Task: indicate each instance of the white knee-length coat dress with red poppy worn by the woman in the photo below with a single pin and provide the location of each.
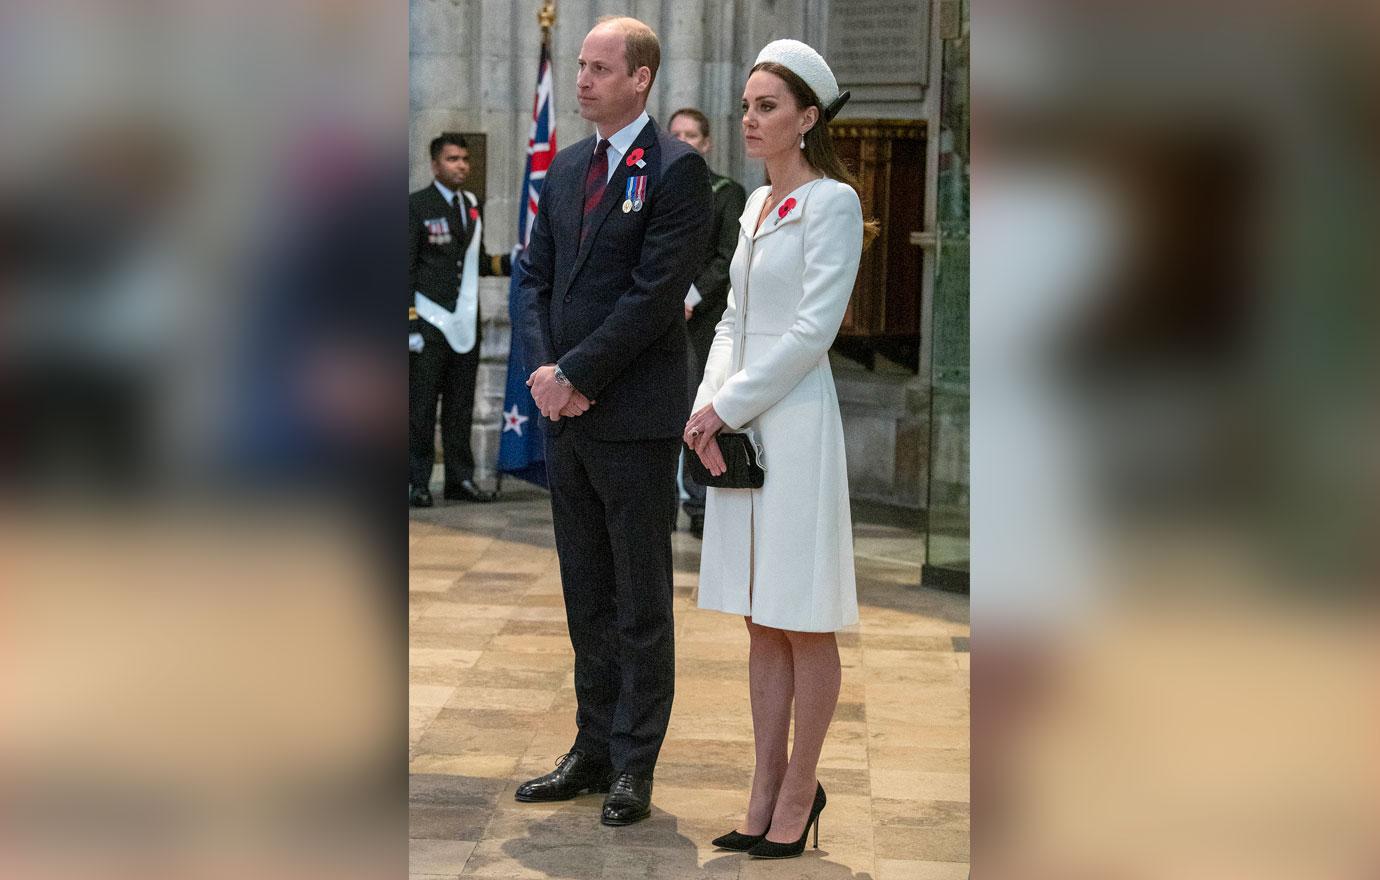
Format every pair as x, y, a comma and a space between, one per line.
785, 554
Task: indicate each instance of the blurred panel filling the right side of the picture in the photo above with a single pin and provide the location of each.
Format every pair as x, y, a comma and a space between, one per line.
1175, 449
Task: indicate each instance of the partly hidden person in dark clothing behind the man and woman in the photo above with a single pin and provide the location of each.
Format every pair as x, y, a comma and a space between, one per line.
709, 296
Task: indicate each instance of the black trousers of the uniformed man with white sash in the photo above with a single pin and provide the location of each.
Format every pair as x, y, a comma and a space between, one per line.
440, 373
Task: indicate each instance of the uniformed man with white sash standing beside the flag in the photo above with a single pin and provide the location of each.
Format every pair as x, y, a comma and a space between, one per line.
445, 260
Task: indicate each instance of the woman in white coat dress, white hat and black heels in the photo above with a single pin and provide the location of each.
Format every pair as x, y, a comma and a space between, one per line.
783, 555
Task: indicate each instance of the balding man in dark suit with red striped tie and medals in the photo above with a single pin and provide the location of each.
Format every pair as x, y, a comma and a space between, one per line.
616, 243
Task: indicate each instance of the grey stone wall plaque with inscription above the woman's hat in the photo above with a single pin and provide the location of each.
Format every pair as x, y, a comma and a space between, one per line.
880, 42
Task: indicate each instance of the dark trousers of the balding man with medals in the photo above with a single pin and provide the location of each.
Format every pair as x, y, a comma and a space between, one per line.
611, 504
